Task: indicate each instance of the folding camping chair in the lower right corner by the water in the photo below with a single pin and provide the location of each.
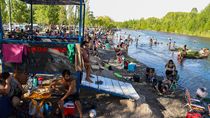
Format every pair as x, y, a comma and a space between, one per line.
193, 104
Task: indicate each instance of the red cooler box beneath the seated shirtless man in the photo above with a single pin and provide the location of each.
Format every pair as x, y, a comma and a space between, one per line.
69, 109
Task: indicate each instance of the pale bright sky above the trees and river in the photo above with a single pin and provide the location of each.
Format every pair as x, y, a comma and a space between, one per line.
121, 10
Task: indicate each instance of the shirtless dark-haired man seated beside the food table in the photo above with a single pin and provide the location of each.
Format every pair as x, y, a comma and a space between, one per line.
67, 84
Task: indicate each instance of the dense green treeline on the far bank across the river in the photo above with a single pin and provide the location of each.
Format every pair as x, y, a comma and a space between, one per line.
192, 23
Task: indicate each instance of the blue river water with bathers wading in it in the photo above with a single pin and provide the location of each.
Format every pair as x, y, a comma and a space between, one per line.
193, 73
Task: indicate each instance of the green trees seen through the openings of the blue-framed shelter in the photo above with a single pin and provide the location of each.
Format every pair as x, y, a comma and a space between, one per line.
42, 14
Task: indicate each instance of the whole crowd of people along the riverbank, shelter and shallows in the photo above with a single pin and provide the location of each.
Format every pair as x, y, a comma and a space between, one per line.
11, 90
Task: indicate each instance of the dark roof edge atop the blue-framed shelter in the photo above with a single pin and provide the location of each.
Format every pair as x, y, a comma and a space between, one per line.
54, 2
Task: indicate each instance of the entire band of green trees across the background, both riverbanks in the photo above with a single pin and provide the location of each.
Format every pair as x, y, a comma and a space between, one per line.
193, 23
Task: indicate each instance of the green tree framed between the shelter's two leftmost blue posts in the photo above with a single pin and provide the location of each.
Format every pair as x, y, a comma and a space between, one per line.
20, 12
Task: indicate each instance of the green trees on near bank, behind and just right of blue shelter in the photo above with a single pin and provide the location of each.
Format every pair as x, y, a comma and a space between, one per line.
50, 15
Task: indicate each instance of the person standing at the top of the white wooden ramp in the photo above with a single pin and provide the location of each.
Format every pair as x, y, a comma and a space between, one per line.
86, 58
